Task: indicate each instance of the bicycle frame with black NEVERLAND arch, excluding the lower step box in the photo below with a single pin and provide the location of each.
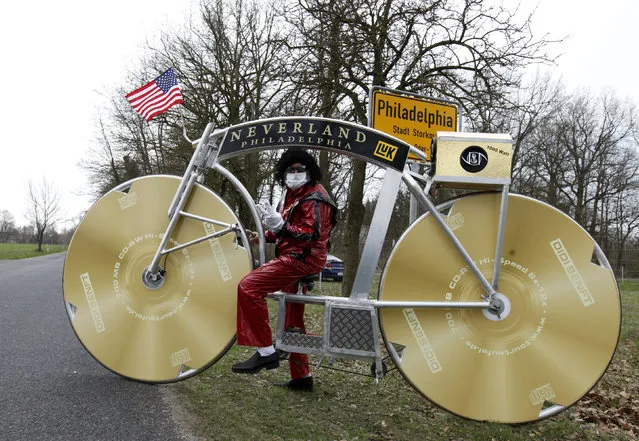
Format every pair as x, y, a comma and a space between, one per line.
340, 137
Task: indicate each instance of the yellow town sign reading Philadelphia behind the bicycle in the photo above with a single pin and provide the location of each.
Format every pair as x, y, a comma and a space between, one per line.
413, 119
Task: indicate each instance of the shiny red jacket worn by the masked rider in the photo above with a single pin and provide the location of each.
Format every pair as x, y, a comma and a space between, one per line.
309, 216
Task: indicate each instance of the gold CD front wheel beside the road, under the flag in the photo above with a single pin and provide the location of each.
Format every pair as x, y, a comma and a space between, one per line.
179, 327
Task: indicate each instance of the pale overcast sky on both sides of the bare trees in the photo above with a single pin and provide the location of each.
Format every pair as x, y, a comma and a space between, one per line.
59, 56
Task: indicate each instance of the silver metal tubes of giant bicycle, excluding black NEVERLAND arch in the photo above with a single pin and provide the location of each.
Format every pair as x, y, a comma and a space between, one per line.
205, 156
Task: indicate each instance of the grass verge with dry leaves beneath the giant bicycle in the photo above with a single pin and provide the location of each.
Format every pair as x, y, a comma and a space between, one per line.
227, 406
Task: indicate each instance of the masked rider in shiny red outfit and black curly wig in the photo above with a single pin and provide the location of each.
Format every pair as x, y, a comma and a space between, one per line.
300, 227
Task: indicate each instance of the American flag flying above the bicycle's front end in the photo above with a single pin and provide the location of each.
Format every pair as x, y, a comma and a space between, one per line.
156, 97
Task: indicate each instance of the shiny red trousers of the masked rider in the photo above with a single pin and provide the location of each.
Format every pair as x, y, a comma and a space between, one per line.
253, 328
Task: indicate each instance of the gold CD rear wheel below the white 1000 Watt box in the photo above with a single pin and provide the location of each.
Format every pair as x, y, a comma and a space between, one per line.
556, 330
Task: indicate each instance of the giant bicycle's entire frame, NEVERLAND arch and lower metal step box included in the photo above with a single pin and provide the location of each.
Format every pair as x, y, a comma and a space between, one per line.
355, 141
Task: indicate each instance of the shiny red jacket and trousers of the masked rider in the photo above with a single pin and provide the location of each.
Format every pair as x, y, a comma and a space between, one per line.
301, 250
